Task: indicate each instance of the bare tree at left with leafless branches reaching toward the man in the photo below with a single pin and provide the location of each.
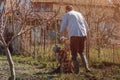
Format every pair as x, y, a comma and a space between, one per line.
20, 15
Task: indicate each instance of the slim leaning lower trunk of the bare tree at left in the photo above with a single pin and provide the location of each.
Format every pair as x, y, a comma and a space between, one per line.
9, 58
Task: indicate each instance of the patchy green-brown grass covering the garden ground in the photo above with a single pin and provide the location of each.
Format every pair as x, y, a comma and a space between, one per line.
28, 68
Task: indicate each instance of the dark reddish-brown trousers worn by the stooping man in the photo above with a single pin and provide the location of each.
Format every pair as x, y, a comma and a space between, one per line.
77, 45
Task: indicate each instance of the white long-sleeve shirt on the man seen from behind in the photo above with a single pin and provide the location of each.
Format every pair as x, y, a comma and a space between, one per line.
75, 23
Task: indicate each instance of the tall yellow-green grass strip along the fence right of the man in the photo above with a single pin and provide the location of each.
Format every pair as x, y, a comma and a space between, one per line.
106, 55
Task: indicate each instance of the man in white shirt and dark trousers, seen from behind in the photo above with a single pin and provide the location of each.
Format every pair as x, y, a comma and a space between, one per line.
77, 31
